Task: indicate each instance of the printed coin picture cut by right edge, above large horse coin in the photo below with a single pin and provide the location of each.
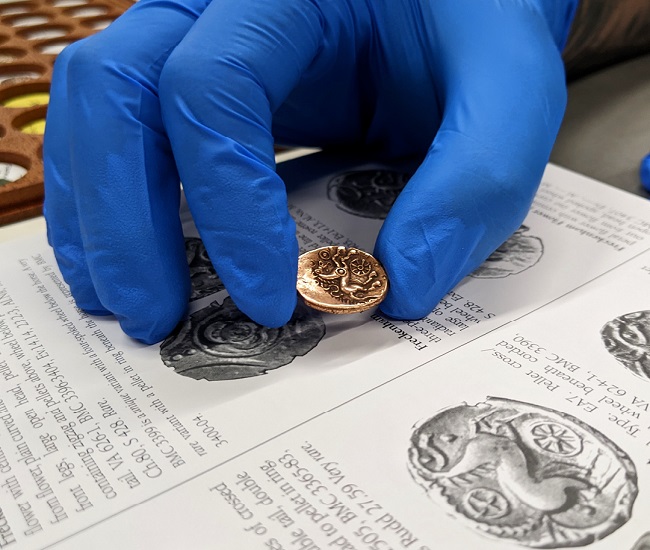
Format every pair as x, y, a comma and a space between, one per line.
627, 338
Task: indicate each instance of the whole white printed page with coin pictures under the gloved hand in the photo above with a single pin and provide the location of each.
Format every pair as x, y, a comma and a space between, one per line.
515, 414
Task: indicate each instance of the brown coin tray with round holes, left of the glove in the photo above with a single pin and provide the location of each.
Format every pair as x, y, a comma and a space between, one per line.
32, 33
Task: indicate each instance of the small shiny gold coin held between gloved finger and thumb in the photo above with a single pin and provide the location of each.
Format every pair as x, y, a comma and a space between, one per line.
336, 279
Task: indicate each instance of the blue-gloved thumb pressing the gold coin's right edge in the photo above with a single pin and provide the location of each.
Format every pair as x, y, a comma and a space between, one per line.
503, 96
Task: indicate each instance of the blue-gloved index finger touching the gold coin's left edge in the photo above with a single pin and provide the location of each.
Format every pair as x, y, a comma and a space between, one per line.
218, 92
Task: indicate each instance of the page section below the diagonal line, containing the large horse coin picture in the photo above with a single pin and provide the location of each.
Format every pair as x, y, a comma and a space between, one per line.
561, 436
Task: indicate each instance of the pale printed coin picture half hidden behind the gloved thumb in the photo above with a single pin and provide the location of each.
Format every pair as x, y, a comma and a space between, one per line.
517, 254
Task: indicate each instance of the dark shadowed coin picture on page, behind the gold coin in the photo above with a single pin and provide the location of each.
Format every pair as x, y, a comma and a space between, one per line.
367, 193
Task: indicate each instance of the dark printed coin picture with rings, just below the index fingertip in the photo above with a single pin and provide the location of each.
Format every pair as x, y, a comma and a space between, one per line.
219, 342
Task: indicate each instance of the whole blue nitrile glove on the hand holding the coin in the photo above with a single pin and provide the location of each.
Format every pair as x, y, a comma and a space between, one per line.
200, 89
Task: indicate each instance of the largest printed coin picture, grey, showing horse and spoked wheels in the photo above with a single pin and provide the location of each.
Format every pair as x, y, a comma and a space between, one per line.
524, 473
